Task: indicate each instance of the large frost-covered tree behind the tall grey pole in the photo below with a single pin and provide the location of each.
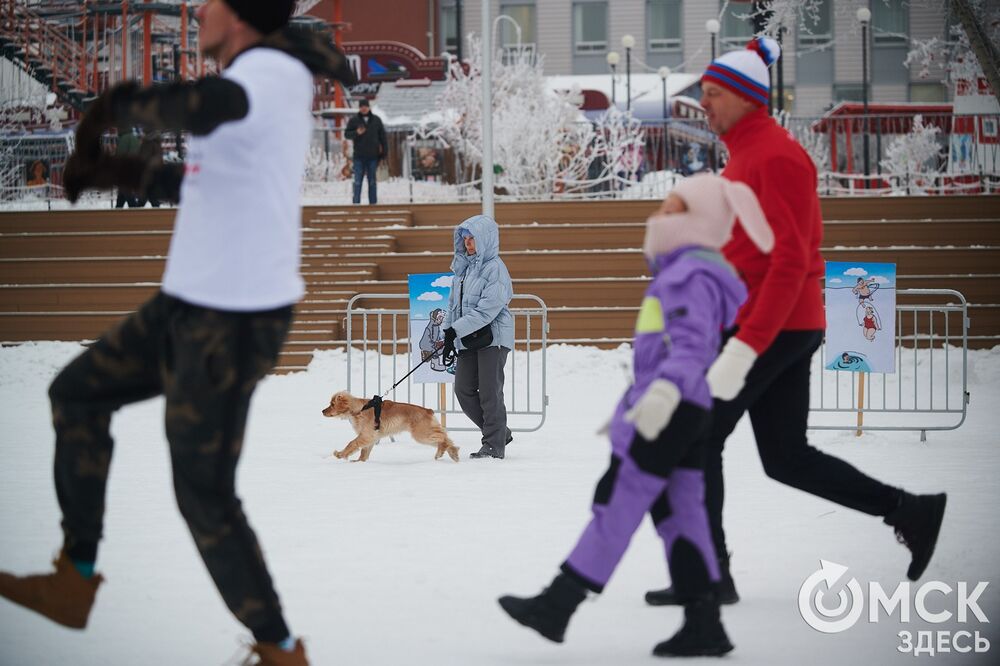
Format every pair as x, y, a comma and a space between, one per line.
542, 146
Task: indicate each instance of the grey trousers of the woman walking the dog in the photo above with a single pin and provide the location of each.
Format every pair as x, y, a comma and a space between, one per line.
479, 388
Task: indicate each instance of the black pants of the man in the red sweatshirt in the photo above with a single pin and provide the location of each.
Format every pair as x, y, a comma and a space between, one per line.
777, 396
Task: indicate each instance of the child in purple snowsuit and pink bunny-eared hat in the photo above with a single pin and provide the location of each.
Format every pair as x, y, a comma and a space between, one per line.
655, 466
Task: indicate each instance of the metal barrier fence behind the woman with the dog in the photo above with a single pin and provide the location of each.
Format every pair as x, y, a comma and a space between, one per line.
381, 355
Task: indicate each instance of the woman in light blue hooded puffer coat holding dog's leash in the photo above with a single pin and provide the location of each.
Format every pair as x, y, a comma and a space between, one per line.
480, 294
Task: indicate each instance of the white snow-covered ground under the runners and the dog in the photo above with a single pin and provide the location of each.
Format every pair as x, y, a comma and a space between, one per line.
400, 560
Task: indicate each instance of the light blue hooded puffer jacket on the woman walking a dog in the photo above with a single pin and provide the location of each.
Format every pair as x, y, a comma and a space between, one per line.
484, 285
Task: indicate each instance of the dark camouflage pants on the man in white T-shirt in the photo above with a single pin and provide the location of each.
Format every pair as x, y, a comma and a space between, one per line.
206, 363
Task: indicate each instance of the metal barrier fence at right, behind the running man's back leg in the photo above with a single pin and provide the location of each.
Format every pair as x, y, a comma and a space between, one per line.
928, 391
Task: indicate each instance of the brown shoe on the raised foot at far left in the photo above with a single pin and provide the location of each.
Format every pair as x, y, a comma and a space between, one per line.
63, 596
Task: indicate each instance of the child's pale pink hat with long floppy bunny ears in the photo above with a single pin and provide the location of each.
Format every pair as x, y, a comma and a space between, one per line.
713, 205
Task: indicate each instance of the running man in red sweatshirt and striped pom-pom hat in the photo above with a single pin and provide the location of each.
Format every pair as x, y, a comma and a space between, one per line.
763, 367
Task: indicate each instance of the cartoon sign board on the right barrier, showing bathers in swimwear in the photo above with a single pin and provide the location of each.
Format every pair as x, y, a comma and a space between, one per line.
860, 317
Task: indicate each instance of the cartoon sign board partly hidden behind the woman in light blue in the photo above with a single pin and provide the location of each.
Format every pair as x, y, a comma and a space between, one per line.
429, 294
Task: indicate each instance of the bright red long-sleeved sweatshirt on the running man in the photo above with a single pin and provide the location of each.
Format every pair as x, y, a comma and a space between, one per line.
784, 286
